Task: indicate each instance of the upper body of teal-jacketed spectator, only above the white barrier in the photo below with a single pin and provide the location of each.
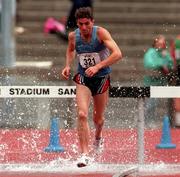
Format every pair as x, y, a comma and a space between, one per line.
158, 63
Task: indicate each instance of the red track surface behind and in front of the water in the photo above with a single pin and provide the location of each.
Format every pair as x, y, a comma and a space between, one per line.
24, 146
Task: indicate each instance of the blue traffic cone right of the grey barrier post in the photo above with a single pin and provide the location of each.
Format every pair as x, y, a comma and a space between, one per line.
166, 135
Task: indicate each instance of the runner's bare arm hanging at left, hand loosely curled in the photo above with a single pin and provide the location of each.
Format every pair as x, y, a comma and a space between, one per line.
70, 55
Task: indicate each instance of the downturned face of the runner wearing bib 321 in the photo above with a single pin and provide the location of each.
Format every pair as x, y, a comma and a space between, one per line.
85, 25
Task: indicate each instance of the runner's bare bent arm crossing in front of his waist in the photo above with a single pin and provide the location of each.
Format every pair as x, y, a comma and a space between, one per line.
115, 55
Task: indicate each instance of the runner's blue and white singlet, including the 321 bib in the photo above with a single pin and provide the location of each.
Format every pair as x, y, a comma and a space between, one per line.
91, 53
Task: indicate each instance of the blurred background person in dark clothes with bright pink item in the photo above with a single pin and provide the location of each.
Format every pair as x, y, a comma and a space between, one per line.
62, 28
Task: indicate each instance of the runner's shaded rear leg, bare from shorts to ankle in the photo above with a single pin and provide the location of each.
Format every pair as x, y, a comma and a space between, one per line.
100, 102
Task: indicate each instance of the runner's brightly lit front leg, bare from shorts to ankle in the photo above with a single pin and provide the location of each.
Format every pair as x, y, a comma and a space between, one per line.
83, 96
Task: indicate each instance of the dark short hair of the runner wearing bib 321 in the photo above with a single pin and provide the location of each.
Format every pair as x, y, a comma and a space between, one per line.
84, 12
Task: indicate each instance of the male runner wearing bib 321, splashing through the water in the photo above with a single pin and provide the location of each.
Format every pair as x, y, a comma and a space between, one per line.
96, 51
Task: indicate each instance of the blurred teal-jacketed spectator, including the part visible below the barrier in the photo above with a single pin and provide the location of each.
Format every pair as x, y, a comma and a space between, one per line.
158, 65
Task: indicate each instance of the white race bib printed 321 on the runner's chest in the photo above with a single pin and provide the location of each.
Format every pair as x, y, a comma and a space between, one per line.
88, 59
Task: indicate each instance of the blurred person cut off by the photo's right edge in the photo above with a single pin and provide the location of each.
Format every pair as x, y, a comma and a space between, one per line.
175, 53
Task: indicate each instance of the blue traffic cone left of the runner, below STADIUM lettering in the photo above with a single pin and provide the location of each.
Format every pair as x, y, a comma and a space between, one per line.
54, 144
